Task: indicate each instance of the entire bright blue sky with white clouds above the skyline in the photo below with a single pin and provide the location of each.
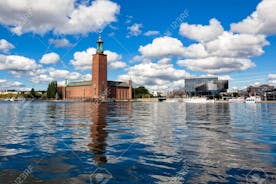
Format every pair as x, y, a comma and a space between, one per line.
154, 43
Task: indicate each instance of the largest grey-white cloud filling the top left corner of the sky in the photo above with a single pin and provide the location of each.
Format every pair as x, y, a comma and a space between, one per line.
61, 17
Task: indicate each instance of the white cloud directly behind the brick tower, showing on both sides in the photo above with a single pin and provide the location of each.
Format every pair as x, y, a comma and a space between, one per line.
83, 59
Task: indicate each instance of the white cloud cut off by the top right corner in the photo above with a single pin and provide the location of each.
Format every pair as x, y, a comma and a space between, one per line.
261, 21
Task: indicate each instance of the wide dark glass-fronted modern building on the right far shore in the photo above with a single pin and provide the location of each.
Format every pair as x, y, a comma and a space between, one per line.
204, 86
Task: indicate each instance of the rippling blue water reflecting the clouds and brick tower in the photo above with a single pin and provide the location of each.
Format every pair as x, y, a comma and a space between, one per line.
48, 142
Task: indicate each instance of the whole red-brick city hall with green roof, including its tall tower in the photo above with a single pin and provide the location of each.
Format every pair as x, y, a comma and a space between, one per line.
99, 88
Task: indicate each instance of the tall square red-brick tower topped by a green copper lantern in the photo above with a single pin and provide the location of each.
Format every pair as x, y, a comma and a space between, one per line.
99, 71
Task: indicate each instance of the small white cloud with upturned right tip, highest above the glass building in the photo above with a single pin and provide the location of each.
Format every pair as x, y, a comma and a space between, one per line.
202, 33
